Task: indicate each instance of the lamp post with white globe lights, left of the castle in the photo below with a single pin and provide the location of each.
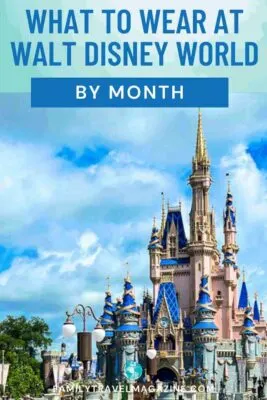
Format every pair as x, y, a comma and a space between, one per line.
84, 337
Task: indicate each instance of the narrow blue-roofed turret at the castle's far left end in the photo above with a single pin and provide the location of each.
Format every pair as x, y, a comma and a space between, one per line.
107, 320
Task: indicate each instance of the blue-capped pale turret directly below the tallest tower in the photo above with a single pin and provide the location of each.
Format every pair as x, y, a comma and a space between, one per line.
205, 331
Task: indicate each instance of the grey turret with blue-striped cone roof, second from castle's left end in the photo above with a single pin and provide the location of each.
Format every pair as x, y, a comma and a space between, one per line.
128, 332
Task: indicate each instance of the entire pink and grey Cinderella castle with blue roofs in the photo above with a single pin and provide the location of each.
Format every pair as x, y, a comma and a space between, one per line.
204, 329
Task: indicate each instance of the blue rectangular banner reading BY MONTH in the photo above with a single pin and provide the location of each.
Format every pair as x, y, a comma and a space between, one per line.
129, 92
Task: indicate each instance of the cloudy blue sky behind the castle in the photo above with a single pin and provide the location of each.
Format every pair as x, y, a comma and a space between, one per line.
79, 190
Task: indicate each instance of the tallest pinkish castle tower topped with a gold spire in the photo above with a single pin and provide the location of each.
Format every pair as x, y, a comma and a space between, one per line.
202, 247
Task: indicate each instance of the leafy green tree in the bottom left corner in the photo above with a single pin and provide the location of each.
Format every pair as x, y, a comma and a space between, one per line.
22, 341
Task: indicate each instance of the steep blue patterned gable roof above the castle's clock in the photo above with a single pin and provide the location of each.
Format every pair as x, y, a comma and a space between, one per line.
167, 291
